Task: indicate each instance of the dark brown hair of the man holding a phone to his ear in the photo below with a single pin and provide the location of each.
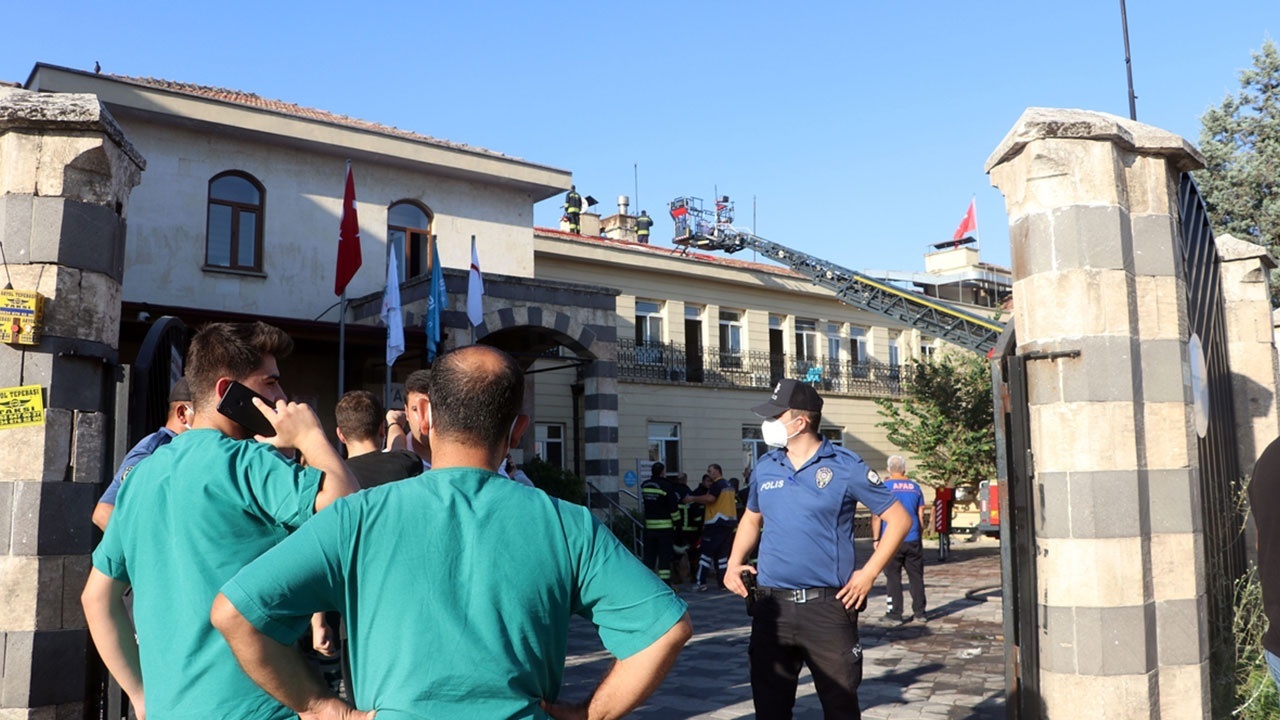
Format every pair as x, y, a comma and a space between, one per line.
231, 350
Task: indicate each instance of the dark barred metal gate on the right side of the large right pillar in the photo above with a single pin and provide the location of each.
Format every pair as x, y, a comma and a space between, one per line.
1219, 463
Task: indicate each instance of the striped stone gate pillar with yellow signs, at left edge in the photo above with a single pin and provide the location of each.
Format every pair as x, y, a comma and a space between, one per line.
66, 176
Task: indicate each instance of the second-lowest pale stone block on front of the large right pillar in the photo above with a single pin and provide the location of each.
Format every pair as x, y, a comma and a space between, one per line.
1113, 564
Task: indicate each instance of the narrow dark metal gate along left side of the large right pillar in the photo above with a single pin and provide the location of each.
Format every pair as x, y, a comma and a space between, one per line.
1016, 472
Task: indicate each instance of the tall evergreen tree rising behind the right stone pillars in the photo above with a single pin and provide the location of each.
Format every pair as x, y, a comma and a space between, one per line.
1241, 142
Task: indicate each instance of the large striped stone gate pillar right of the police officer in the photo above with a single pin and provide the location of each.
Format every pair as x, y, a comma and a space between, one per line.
1092, 206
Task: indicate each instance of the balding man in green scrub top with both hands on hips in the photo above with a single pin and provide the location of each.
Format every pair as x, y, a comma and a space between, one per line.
458, 586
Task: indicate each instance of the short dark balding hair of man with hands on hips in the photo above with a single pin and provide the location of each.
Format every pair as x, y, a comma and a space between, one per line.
477, 393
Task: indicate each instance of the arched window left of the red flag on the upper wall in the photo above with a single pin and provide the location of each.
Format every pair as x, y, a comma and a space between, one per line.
235, 233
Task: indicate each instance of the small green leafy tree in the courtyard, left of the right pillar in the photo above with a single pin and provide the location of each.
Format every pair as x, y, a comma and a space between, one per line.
947, 421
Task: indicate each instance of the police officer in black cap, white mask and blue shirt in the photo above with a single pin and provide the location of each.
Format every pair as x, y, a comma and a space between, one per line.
808, 594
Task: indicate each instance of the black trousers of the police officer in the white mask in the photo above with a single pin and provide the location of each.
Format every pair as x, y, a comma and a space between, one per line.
820, 634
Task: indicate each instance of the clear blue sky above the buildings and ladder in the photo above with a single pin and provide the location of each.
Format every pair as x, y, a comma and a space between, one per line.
860, 129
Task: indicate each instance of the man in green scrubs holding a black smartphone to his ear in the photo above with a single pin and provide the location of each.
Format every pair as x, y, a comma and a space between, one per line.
191, 517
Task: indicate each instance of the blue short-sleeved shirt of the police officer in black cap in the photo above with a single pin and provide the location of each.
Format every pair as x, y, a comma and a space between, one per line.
808, 513
